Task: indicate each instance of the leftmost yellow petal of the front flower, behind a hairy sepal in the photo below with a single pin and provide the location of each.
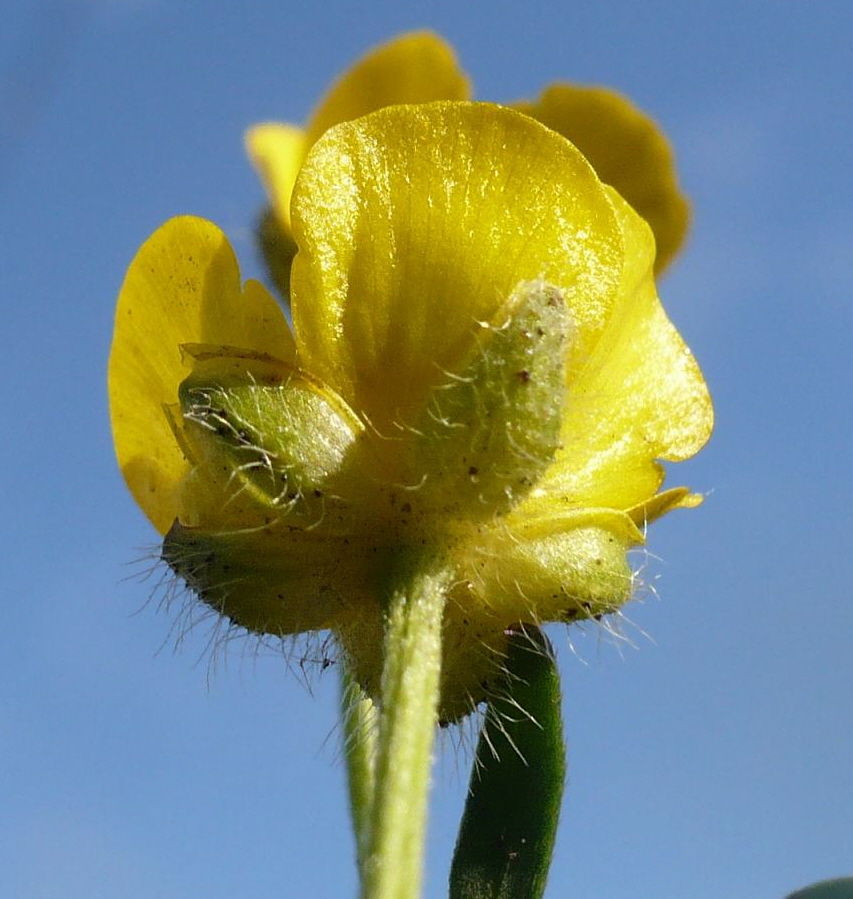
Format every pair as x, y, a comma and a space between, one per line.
183, 287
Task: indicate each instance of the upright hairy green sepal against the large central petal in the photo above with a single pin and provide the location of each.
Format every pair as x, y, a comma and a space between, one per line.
493, 426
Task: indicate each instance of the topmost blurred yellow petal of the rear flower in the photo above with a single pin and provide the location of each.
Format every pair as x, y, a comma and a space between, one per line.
417, 67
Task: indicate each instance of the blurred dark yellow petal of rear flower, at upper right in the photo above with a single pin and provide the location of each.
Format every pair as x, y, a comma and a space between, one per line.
628, 151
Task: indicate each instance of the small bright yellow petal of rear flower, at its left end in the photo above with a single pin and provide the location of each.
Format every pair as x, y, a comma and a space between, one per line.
277, 151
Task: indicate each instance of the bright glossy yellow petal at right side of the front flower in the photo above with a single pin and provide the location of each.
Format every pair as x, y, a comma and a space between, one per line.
640, 397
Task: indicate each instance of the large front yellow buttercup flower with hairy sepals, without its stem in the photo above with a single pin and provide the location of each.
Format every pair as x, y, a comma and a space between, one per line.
479, 363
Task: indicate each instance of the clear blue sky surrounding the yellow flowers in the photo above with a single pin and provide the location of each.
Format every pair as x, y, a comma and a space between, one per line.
711, 753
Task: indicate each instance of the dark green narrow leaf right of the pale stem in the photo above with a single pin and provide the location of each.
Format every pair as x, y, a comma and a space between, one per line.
507, 834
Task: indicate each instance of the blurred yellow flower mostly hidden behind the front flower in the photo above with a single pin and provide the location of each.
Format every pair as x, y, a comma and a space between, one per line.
623, 144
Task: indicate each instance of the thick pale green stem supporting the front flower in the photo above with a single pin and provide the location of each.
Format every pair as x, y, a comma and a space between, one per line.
393, 860
